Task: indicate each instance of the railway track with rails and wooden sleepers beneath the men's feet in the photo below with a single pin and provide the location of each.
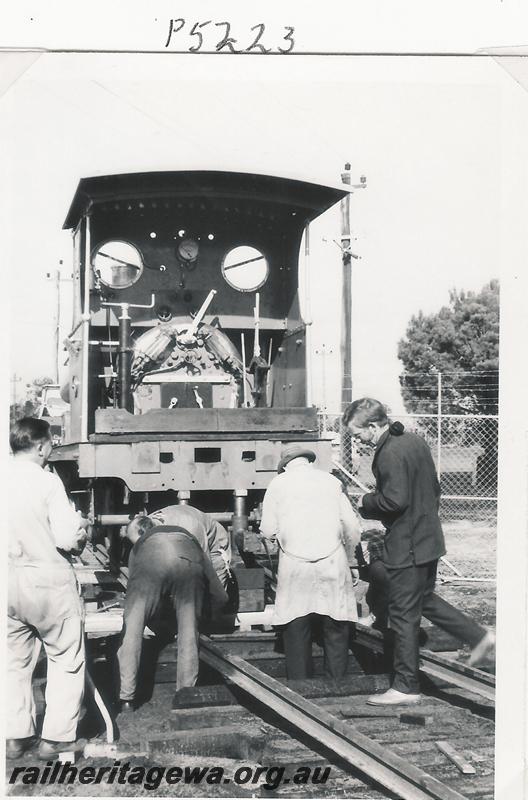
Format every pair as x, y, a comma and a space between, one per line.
245, 712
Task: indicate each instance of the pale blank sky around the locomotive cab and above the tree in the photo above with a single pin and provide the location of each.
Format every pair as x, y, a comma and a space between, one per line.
426, 132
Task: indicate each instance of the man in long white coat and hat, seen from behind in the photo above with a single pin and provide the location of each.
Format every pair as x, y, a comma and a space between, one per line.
305, 510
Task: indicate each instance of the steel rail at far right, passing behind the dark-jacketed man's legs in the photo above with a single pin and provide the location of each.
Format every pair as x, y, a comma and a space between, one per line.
437, 666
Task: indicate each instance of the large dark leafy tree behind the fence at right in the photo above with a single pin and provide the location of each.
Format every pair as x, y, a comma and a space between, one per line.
461, 341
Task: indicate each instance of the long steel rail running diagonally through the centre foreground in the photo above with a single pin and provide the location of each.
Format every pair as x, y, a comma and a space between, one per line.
359, 751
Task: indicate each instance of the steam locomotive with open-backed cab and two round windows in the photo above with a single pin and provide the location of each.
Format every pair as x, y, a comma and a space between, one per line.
187, 355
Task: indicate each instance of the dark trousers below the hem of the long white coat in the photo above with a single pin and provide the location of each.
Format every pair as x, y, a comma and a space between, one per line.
297, 638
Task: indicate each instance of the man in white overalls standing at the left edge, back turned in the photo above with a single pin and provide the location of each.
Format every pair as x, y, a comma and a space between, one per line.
43, 601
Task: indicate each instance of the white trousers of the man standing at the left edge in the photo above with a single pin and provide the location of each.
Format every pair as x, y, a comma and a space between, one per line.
44, 606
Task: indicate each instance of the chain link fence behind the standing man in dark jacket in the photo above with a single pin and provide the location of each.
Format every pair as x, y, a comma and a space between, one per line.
464, 449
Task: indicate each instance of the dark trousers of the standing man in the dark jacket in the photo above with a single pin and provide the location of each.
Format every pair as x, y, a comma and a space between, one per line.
411, 595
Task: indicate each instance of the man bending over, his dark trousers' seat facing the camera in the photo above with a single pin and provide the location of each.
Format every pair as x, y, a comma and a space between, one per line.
166, 564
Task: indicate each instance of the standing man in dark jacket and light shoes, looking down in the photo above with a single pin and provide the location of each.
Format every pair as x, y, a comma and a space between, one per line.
406, 501
